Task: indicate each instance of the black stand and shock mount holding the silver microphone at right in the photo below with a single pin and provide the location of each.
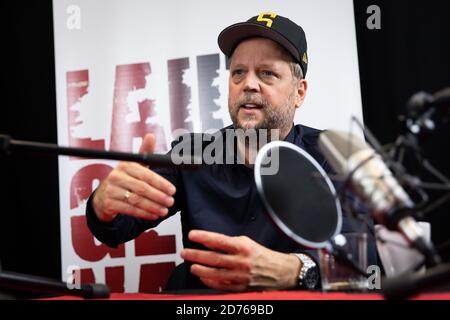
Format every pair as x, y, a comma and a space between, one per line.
397, 287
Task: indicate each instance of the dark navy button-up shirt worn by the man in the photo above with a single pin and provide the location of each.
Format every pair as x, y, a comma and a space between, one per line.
219, 197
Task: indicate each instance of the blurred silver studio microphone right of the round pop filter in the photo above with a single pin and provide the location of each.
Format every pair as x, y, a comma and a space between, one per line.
372, 180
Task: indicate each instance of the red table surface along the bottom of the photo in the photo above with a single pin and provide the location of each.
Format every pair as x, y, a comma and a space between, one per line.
270, 295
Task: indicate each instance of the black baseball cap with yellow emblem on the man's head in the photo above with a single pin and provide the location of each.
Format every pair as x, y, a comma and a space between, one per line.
267, 25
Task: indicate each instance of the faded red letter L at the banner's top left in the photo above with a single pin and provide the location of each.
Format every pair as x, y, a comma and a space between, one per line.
77, 88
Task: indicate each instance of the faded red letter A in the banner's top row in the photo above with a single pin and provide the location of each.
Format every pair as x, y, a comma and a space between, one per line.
130, 78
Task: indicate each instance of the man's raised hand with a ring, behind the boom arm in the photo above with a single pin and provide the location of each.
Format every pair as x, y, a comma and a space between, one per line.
133, 189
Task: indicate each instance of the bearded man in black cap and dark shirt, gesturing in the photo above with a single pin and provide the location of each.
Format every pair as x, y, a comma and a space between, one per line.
229, 243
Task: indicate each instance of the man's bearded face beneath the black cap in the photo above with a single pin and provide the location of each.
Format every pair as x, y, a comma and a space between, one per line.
263, 93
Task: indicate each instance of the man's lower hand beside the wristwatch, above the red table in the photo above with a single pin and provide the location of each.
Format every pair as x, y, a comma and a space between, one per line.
240, 264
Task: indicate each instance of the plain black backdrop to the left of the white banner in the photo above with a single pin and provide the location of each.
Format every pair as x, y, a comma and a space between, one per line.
29, 211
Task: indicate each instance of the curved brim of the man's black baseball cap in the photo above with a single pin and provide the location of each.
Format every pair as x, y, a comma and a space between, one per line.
230, 37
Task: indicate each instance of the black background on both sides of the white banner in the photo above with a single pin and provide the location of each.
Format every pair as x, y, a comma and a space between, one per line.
410, 53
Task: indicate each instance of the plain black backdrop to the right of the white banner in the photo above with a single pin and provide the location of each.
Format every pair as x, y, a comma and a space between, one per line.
410, 53
